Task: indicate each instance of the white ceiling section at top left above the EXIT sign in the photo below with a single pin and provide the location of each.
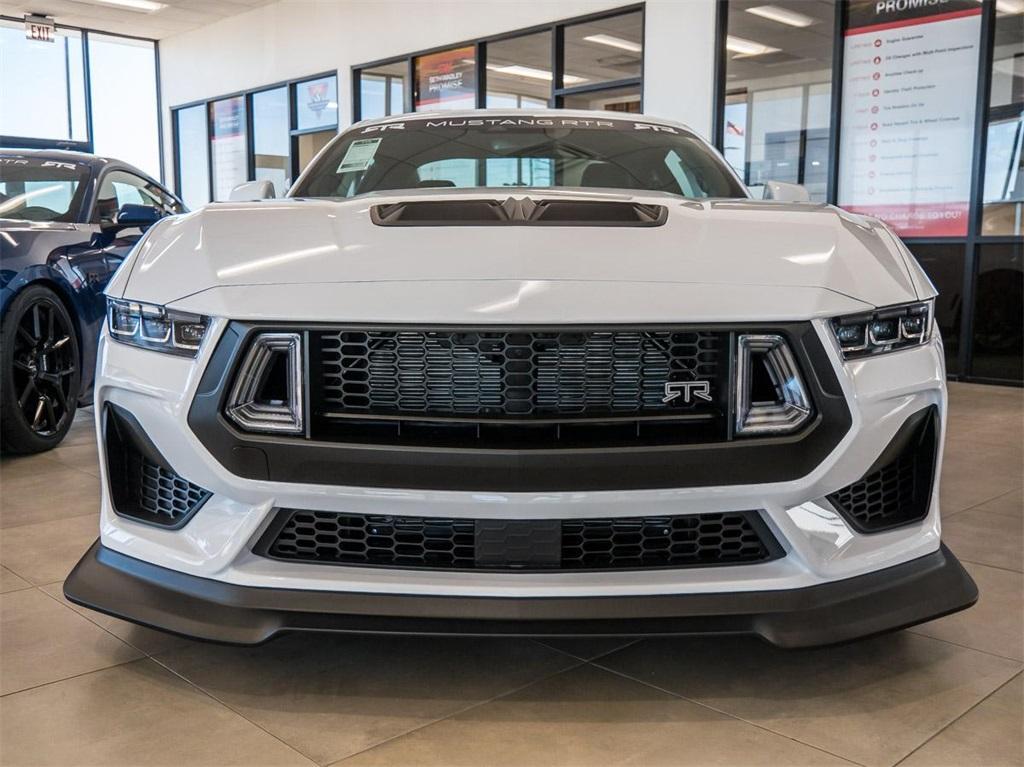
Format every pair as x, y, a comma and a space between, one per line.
180, 16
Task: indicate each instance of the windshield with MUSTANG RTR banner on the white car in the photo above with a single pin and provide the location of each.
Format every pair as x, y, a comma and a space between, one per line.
535, 152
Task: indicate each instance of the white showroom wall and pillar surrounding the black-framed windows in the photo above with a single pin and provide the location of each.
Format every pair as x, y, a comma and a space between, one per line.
295, 38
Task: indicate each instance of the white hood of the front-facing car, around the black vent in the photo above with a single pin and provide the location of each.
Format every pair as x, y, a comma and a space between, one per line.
714, 244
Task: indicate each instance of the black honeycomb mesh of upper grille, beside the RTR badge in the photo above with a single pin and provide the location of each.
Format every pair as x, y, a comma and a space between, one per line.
499, 374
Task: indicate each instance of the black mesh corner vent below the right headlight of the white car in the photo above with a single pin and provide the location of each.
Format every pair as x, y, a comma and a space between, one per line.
898, 490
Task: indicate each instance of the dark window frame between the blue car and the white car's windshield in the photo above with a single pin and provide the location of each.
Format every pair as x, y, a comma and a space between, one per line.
294, 133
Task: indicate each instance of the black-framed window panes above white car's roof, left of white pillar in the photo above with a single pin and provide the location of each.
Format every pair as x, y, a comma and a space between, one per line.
592, 63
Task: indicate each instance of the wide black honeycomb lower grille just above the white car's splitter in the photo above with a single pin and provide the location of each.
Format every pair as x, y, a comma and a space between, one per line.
689, 541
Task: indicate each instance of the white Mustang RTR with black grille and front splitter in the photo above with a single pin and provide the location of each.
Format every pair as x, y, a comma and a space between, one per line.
535, 373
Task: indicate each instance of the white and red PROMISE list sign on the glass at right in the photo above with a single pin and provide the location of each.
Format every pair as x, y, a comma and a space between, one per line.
910, 92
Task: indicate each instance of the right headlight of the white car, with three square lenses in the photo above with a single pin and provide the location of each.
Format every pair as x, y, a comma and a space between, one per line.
888, 329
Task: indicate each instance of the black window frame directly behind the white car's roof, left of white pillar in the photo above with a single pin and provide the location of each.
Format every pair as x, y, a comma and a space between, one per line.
558, 94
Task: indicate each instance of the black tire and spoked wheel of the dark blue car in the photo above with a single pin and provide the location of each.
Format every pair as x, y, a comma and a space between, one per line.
39, 372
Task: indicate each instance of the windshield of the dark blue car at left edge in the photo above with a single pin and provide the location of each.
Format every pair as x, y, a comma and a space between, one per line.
41, 190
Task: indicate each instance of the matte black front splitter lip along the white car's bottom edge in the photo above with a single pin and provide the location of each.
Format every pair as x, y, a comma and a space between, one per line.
893, 599
